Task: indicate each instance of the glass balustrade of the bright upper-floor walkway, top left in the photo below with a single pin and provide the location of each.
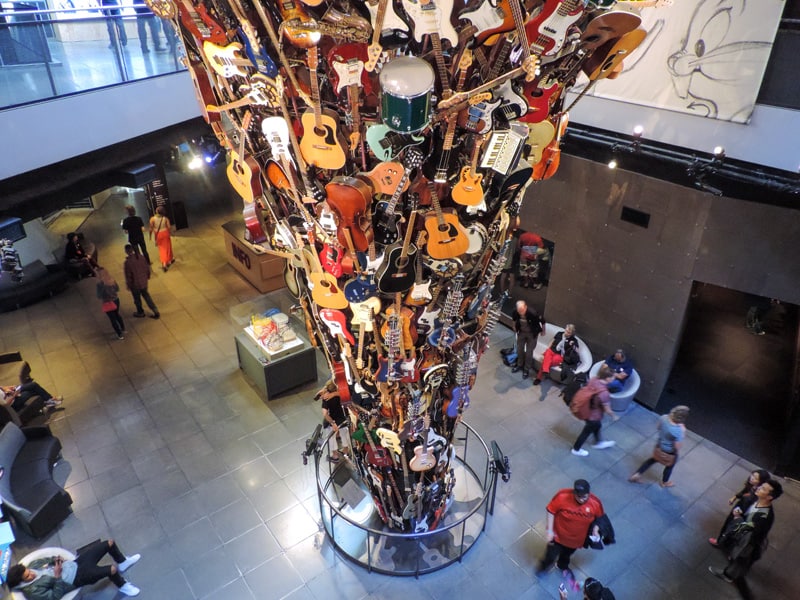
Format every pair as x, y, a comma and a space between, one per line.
52, 48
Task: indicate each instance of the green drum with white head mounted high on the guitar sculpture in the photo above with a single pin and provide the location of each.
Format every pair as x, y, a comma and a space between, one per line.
406, 87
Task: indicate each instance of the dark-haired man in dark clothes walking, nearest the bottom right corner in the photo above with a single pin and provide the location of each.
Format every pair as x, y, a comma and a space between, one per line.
750, 538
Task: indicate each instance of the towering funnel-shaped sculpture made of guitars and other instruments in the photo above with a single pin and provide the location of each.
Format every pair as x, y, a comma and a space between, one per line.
393, 241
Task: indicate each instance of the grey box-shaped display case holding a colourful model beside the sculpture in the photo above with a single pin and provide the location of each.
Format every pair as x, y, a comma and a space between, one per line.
273, 368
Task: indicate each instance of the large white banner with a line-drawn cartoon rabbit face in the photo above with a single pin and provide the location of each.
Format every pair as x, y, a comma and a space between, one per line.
703, 57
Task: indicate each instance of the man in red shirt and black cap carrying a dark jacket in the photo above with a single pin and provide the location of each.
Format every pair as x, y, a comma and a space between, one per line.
569, 515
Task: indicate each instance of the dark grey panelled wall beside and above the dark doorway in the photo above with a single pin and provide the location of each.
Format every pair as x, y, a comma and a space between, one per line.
625, 285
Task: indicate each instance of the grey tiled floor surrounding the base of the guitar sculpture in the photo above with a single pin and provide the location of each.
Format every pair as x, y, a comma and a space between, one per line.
168, 449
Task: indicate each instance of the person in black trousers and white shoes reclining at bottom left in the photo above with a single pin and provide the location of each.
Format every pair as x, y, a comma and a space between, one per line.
53, 577
